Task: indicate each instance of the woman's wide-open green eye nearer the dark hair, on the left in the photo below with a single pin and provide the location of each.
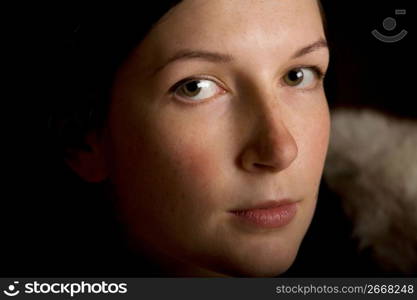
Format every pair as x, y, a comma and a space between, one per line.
197, 89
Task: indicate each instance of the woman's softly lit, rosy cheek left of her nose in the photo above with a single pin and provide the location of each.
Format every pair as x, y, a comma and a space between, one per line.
194, 150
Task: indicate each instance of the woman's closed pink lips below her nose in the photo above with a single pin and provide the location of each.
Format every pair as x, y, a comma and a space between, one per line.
271, 214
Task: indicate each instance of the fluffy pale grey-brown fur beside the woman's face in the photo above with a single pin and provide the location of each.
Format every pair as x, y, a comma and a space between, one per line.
372, 165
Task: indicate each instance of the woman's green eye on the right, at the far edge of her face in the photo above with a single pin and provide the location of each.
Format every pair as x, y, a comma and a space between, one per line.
305, 77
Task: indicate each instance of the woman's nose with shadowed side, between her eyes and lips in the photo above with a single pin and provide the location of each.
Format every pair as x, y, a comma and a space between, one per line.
272, 147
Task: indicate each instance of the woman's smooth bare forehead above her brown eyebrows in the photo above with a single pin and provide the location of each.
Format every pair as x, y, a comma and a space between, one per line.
233, 26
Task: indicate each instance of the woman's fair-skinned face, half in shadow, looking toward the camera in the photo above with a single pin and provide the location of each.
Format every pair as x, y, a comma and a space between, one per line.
210, 115
